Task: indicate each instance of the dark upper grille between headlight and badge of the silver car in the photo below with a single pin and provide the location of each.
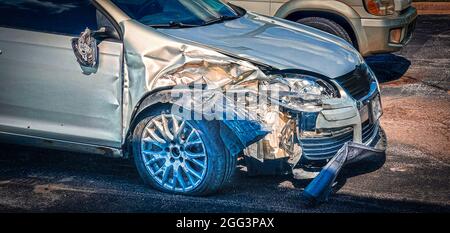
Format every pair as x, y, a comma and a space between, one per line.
356, 83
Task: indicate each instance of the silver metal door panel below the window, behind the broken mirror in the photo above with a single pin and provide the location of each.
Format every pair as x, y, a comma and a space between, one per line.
49, 96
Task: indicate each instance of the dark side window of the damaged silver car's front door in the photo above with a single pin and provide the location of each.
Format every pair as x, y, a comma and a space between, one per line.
57, 16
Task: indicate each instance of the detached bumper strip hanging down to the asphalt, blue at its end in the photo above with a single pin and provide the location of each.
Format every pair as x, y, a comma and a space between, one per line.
320, 188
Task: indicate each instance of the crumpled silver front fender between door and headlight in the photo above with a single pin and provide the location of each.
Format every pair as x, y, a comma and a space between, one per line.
154, 60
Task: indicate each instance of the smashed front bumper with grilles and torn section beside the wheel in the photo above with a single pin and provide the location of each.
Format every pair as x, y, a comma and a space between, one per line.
318, 136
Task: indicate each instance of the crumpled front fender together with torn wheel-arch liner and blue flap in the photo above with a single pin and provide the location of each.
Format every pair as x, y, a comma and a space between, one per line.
168, 62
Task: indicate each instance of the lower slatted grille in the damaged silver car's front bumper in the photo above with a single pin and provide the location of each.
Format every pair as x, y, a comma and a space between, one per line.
327, 147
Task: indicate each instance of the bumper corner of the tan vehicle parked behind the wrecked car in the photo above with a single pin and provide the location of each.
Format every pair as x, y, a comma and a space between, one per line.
377, 32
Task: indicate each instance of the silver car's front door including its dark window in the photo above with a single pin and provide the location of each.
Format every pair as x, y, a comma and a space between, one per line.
43, 90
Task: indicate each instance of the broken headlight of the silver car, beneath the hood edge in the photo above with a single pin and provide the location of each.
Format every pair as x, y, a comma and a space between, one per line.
300, 92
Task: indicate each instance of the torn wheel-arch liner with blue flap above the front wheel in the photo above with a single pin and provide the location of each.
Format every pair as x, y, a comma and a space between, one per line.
237, 131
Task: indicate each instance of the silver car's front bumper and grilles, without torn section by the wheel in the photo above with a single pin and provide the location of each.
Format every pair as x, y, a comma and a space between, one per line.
353, 118
